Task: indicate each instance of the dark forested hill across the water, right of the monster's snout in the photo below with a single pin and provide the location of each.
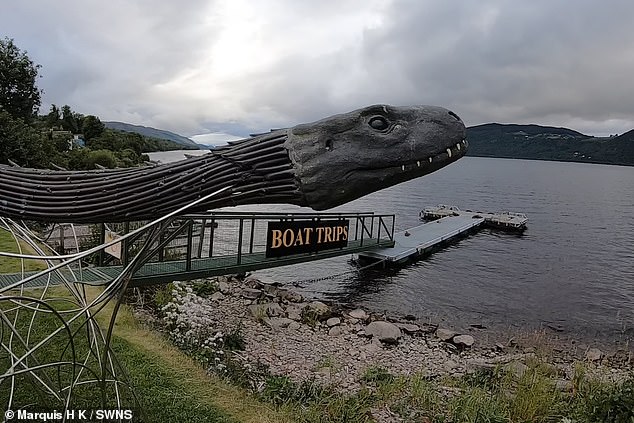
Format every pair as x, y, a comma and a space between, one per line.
548, 143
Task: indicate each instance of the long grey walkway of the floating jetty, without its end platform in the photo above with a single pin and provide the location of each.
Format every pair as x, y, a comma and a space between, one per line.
420, 239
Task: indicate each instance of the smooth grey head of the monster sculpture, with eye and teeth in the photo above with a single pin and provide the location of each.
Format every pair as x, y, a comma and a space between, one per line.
347, 156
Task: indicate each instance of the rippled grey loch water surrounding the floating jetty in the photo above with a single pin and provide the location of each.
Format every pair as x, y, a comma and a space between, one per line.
571, 271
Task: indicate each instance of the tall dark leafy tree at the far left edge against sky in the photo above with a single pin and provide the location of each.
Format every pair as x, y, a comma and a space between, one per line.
19, 94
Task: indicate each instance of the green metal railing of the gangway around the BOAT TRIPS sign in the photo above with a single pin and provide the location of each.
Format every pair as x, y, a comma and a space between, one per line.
237, 235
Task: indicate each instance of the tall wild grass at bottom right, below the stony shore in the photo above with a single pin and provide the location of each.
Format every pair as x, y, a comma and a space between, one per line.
497, 396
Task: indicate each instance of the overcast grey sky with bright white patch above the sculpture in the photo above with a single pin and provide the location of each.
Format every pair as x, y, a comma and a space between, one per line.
237, 66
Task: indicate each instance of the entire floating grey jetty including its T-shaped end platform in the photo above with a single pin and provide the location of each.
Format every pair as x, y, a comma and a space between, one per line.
443, 224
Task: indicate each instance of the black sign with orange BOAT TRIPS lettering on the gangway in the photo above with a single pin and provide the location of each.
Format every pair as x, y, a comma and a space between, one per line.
305, 236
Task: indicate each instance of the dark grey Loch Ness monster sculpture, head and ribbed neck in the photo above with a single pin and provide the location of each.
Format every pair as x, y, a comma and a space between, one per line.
320, 165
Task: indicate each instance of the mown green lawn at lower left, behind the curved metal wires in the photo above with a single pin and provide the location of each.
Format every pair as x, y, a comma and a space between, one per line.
164, 384
